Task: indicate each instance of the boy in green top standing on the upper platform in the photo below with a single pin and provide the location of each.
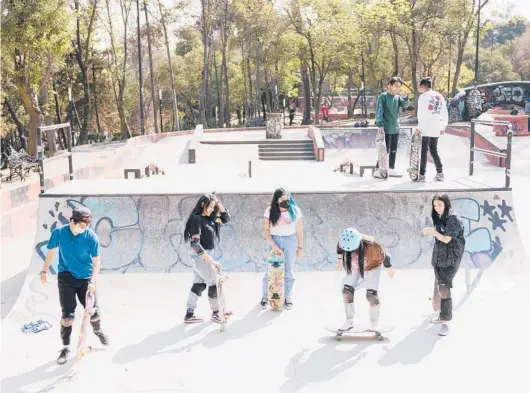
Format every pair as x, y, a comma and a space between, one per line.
387, 117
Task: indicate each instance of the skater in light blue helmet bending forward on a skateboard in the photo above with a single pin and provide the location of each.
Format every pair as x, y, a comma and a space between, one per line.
362, 259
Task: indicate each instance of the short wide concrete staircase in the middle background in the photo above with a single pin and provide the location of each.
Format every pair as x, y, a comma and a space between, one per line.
286, 150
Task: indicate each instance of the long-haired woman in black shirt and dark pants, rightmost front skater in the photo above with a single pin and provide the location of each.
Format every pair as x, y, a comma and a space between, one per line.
449, 245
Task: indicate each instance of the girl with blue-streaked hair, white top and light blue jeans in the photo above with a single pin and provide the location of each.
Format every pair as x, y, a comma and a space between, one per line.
282, 227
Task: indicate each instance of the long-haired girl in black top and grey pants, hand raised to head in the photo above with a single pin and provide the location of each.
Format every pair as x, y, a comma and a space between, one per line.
202, 228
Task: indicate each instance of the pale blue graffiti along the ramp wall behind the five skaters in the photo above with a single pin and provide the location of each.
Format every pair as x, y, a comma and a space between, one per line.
144, 233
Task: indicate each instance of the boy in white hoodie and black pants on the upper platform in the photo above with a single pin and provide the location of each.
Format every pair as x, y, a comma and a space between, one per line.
432, 120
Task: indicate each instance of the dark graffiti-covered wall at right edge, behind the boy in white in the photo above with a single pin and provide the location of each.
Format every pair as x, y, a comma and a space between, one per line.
471, 102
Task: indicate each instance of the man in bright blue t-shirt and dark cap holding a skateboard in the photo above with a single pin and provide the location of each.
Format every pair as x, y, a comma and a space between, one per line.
78, 270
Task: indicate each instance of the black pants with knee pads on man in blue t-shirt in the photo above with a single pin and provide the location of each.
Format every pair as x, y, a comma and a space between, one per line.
71, 288
